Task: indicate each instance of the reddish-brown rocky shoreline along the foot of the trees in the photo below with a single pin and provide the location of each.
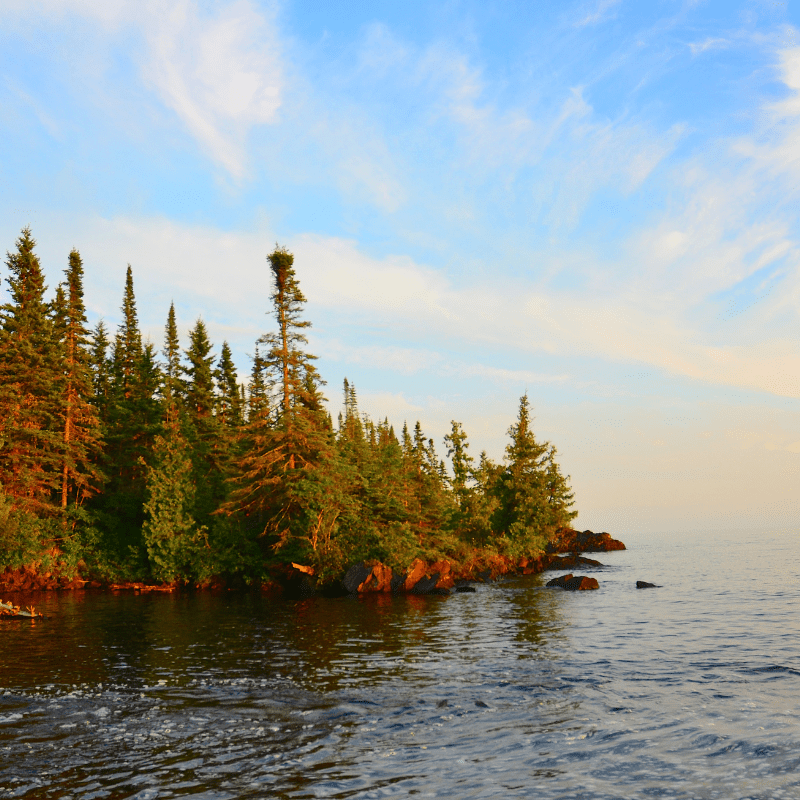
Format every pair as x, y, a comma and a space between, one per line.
439, 577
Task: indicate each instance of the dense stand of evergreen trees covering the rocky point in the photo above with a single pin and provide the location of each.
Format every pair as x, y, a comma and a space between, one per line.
132, 462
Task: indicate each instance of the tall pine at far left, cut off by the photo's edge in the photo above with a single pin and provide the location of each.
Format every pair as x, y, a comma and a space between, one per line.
31, 452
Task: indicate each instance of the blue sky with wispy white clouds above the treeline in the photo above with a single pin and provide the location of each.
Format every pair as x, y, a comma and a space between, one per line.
594, 202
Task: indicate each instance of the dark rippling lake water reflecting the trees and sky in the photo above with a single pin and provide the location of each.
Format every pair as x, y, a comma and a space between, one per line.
687, 691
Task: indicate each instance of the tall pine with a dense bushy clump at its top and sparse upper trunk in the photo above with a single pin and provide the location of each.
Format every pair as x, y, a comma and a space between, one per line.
290, 482
